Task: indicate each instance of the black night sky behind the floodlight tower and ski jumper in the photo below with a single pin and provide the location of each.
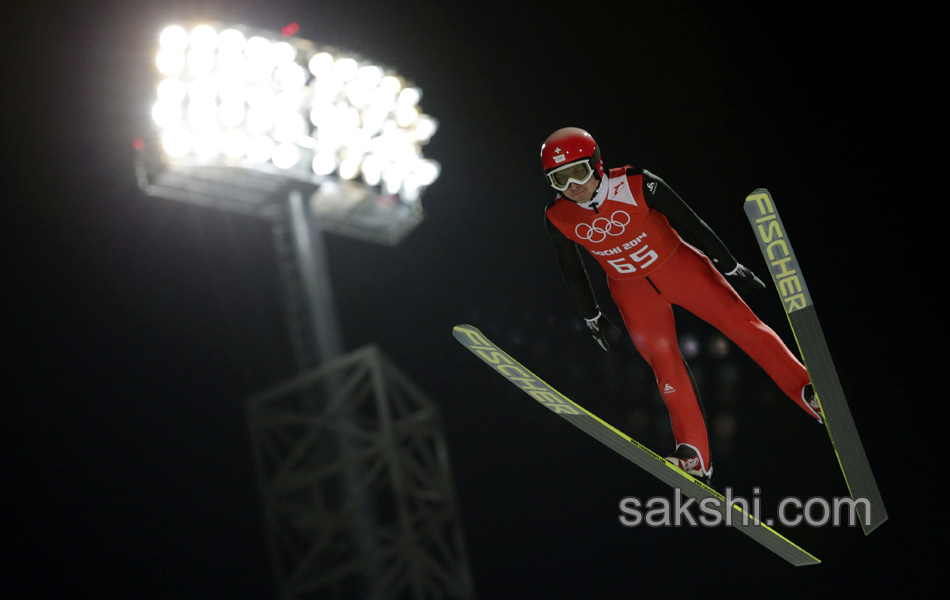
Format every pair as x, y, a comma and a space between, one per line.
135, 327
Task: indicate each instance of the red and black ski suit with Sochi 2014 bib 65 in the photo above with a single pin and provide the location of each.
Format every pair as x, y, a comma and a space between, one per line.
627, 228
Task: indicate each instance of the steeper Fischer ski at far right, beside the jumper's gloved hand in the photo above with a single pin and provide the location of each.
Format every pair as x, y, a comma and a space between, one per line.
787, 276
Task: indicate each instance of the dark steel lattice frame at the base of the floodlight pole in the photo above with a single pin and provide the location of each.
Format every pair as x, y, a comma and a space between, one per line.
356, 485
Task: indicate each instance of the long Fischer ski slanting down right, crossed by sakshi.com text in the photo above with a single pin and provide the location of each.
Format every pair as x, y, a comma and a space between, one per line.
632, 450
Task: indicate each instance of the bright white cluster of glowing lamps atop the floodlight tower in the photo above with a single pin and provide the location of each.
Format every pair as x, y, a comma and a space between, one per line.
231, 97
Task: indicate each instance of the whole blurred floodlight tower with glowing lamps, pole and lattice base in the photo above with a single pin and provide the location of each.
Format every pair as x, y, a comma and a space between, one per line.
351, 460
